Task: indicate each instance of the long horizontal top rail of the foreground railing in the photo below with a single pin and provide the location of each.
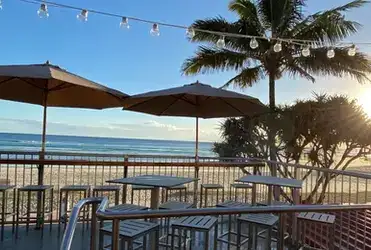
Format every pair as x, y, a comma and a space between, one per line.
226, 211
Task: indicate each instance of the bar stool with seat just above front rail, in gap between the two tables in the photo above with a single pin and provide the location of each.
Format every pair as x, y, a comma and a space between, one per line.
230, 232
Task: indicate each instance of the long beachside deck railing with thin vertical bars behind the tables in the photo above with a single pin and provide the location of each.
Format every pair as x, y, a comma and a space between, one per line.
60, 169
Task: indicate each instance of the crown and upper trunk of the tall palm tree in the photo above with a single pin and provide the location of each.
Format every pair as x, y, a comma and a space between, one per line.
278, 19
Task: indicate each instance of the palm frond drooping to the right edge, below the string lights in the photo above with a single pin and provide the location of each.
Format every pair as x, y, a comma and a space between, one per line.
342, 65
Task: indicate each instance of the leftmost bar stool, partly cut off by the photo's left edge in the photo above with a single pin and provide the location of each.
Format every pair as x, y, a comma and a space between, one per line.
4, 191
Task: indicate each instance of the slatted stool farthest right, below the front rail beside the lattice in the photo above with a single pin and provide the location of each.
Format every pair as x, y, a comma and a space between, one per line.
326, 220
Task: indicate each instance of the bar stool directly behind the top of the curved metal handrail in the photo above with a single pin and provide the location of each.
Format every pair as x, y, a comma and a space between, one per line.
64, 208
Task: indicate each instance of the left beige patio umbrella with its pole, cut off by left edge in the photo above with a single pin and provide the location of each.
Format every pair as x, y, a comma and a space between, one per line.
51, 86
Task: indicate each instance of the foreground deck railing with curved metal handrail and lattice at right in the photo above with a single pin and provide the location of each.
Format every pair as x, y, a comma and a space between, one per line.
349, 238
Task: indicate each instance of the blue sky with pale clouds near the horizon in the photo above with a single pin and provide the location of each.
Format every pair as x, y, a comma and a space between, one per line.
133, 61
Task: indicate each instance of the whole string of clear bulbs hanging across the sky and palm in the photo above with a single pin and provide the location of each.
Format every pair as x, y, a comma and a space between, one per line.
191, 31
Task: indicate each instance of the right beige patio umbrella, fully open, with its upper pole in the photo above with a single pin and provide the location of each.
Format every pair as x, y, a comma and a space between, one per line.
195, 100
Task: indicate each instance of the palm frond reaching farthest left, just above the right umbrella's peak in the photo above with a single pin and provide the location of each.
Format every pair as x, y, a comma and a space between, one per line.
209, 59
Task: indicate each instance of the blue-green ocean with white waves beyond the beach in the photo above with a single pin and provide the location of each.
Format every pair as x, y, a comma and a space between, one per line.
61, 143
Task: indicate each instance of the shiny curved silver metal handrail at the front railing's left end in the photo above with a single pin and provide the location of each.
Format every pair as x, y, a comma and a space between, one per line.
70, 230
